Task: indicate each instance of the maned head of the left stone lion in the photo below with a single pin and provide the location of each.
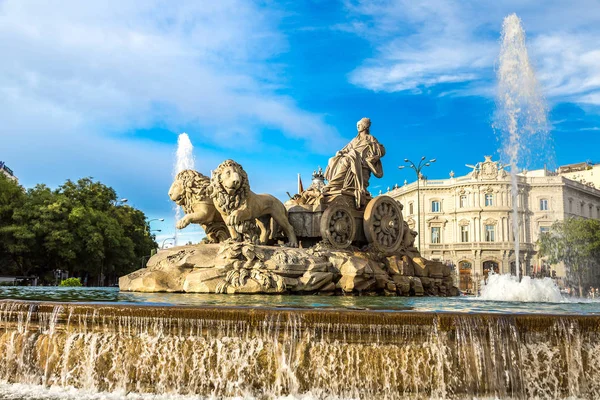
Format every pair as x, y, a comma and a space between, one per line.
188, 188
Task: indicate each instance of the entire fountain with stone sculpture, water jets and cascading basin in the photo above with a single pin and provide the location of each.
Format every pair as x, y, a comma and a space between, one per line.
232, 333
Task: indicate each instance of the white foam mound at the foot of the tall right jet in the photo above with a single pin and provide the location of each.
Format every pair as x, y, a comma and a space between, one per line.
508, 287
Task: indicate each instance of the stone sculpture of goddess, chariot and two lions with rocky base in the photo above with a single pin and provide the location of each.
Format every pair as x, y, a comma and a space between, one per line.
332, 238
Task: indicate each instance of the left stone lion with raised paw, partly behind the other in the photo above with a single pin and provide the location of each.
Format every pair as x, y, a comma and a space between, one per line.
191, 191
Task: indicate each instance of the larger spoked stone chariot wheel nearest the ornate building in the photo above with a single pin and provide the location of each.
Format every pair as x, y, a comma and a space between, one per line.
383, 224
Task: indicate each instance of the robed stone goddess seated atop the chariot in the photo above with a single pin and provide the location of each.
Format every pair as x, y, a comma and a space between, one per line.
348, 172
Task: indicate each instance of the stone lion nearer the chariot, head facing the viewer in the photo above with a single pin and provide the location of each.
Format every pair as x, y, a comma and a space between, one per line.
238, 204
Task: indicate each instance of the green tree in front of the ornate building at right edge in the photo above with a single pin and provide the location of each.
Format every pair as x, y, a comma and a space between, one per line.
575, 242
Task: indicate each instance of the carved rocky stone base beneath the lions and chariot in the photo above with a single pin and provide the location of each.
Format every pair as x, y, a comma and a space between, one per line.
234, 267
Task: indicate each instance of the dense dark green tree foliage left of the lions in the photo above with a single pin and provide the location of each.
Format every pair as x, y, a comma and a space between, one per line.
77, 227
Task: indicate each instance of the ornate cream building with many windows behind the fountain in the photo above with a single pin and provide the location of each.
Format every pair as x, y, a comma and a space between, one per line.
467, 220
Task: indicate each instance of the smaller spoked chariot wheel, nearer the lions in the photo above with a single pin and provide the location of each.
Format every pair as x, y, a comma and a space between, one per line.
338, 226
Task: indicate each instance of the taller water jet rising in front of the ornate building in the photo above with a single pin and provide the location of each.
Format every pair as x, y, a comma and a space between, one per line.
521, 117
